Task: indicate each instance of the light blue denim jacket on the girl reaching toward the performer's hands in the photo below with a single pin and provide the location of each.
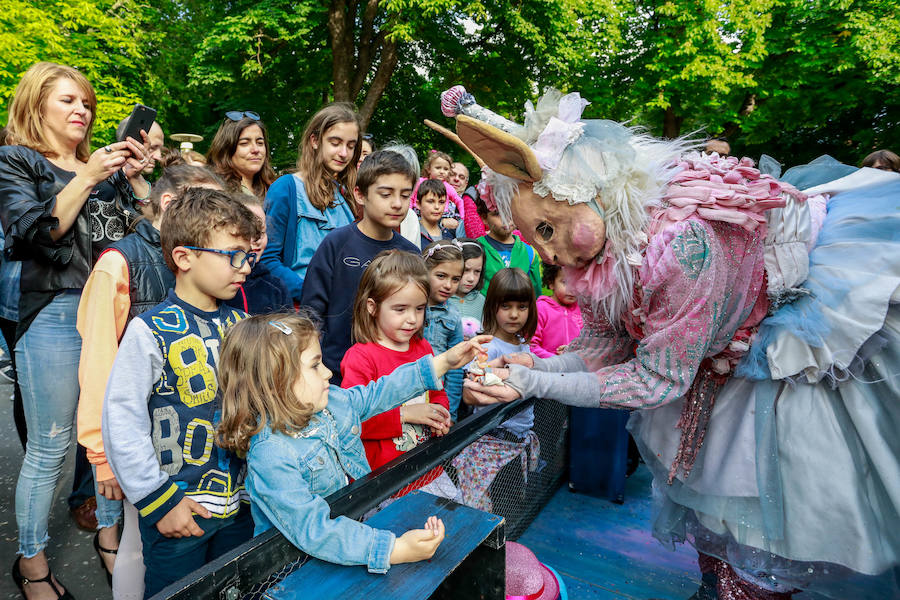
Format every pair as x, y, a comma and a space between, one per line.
288, 475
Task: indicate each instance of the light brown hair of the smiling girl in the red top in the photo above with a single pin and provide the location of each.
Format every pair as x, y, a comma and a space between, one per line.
385, 275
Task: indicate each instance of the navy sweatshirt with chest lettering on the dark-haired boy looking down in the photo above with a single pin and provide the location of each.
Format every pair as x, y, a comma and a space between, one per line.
332, 280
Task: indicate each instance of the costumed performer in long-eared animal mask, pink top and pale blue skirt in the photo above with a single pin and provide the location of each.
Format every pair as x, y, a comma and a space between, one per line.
784, 474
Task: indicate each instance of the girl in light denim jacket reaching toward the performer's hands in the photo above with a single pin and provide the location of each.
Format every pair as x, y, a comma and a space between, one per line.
301, 437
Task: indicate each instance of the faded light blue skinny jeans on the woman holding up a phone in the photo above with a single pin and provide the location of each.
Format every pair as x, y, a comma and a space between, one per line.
47, 367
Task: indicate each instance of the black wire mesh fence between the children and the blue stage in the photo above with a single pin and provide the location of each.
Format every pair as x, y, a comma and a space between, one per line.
479, 463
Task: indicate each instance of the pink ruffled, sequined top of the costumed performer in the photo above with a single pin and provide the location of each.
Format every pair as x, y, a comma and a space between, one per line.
699, 294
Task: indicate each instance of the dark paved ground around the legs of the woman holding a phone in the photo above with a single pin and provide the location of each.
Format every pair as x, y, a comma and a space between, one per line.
71, 552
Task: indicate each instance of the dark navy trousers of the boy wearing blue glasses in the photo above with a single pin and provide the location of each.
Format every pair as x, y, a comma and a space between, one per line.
169, 559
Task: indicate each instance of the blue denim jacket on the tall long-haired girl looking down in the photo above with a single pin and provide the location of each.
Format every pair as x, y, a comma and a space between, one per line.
292, 244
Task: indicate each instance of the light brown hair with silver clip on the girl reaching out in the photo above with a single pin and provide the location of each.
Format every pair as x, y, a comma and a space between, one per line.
259, 365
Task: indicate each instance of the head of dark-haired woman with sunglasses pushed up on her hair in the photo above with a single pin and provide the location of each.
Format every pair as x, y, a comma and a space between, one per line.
239, 153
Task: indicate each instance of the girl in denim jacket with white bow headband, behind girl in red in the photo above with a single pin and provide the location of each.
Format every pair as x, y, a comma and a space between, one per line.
443, 323
